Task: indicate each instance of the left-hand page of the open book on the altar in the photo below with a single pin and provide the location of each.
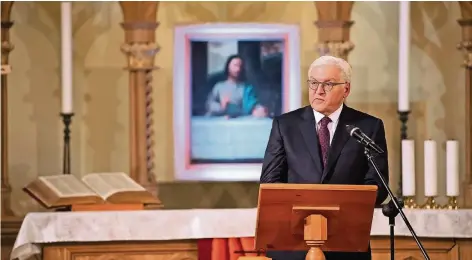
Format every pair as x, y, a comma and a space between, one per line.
66, 186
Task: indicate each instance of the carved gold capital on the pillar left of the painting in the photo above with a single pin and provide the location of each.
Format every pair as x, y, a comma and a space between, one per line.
140, 55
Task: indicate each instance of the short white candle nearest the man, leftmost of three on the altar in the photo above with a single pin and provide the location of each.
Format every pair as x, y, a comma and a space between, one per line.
408, 168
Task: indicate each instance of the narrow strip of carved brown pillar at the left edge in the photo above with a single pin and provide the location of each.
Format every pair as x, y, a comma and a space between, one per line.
7, 47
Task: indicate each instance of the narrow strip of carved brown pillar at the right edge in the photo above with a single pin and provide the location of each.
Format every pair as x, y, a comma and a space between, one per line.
466, 47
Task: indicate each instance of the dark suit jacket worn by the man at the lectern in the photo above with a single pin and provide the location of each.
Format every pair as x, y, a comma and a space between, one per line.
293, 156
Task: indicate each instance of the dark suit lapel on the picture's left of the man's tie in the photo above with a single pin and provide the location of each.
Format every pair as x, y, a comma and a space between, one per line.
308, 129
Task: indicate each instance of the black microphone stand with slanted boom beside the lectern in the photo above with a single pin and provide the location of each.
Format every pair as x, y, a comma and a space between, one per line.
392, 209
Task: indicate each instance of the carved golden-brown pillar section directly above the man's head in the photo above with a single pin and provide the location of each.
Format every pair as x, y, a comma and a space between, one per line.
334, 24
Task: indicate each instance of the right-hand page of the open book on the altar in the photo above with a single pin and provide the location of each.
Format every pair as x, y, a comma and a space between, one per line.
106, 184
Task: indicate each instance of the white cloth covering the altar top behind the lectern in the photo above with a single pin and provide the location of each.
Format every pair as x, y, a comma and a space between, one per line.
155, 225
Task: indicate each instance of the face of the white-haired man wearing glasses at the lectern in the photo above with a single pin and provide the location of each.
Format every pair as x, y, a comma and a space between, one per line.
326, 102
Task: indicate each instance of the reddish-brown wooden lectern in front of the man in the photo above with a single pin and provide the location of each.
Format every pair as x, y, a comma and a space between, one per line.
314, 217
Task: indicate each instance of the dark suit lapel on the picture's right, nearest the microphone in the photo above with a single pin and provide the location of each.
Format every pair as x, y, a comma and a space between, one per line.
339, 140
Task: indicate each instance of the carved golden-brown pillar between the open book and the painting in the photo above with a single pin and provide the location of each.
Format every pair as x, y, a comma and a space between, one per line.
140, 48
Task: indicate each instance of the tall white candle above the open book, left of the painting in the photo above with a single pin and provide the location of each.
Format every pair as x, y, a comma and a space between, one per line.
66, 55
